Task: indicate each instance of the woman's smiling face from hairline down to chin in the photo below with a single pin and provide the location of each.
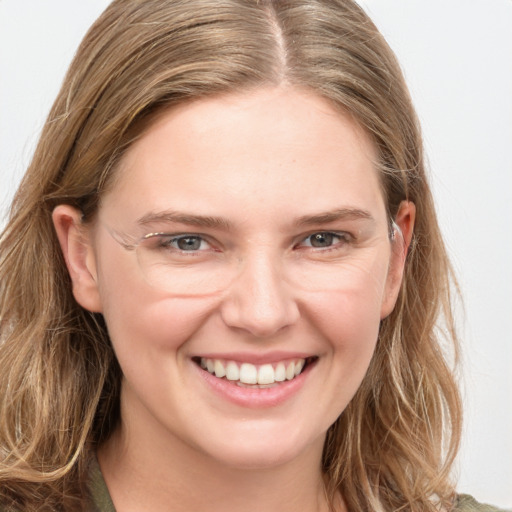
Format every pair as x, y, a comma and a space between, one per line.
276, 256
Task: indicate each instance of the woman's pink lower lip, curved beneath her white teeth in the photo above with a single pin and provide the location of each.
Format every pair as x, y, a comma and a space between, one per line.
256, 398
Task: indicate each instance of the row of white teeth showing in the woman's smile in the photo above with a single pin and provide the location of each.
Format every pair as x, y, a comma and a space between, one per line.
254, 376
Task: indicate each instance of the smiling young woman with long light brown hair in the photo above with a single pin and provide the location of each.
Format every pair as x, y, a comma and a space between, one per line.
223, 274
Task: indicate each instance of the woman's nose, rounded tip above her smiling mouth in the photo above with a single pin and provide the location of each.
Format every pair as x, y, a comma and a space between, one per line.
259, 300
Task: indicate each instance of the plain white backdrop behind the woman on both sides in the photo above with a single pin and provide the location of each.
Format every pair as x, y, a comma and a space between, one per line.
457, 59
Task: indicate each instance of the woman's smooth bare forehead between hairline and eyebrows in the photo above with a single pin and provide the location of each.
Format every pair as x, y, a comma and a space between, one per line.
280, 151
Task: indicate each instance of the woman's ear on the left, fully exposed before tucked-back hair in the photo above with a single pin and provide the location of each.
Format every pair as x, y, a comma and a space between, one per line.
75, 242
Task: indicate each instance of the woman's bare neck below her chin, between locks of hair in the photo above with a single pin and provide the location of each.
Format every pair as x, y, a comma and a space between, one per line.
151, 475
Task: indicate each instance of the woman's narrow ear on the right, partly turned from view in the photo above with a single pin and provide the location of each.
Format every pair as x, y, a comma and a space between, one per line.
403, 227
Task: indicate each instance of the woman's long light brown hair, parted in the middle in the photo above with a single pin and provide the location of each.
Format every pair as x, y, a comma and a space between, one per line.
393, 447
